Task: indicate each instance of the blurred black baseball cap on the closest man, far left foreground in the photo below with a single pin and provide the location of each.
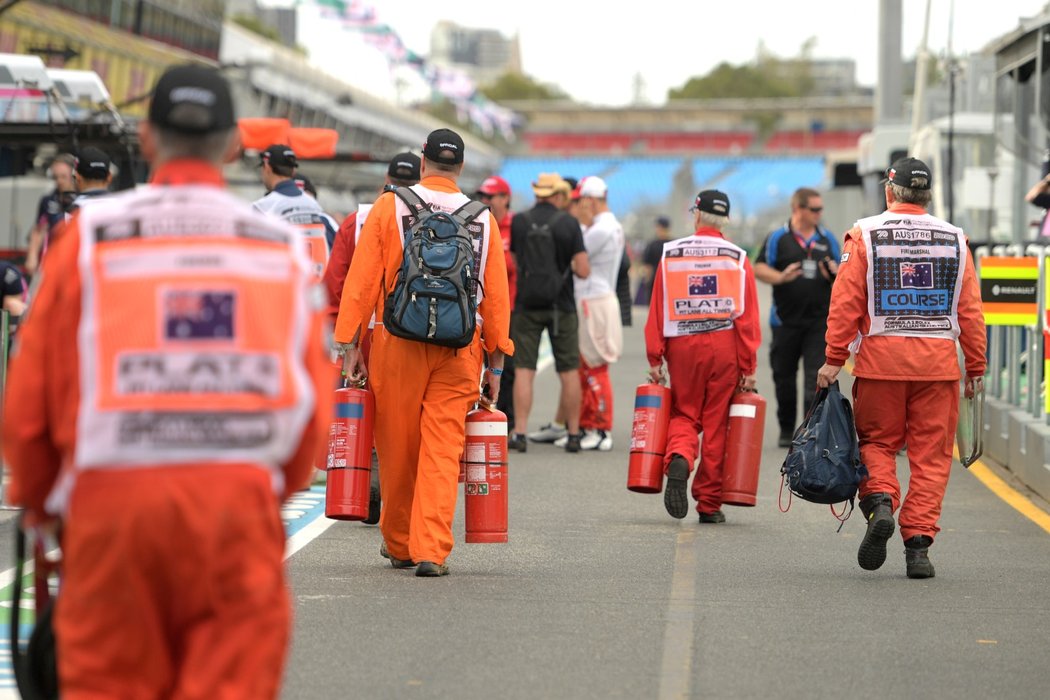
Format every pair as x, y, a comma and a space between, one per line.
193, 99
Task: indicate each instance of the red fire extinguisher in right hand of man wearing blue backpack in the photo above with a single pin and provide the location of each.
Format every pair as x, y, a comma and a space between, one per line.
486, 465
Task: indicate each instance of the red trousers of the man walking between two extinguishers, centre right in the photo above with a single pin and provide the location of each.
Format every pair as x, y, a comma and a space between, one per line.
704, 377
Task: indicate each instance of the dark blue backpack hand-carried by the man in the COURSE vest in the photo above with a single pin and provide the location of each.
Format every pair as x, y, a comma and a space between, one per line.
824, 463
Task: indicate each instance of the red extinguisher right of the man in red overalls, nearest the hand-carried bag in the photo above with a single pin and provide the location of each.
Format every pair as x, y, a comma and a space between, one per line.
744, 450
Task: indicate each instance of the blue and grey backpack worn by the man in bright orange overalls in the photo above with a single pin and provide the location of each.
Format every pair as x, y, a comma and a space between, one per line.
435, 296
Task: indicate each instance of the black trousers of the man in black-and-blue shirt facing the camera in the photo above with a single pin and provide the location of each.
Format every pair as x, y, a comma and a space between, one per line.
790, 345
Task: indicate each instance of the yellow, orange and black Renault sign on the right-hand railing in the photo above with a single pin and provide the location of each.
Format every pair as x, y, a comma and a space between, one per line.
1010, 290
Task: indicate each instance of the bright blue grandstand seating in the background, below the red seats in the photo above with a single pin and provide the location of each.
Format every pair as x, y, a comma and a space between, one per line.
755, 184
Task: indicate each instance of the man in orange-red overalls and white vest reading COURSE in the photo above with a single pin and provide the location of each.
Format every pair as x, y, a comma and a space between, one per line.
907, 291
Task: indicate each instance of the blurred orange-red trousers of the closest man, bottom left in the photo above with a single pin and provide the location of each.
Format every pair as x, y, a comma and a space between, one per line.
173, 586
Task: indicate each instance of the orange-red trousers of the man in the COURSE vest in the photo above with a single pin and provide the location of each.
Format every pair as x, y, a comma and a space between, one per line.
891, 415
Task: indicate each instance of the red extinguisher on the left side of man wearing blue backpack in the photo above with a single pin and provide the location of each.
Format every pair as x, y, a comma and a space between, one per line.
350, 455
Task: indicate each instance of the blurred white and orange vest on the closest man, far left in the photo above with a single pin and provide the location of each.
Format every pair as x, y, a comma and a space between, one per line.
192, 347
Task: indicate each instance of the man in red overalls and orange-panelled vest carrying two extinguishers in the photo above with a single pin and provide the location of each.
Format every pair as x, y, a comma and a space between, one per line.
704, 322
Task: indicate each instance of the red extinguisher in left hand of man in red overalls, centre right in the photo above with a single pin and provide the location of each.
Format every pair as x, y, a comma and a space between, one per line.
653, 412
